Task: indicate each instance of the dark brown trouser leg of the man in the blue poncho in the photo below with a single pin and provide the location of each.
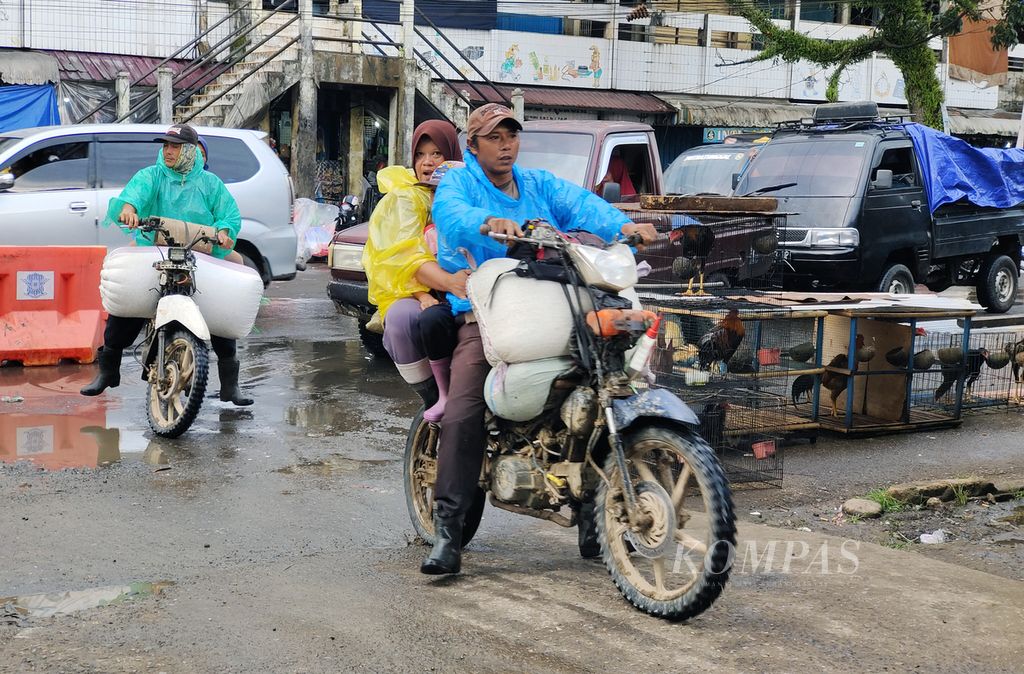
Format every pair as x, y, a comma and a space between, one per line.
460, 450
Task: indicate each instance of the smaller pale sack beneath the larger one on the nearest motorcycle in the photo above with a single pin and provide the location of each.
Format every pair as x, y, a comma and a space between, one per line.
519, 392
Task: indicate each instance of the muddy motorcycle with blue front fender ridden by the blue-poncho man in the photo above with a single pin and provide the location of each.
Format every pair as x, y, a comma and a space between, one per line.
603, 446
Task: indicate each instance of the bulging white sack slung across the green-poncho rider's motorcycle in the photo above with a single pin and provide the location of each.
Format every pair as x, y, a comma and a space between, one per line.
228, 294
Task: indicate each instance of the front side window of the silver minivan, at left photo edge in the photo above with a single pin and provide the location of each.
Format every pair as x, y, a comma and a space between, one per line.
54, 165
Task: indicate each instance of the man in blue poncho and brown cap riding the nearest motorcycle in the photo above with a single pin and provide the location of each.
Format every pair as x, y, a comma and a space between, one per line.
492, 190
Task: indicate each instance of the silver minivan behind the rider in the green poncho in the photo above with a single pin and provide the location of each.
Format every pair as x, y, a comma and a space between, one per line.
56, 184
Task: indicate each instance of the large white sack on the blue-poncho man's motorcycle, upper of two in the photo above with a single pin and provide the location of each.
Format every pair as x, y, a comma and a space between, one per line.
521, 319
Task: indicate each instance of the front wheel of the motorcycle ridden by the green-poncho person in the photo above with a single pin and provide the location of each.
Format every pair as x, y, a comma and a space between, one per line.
176, 395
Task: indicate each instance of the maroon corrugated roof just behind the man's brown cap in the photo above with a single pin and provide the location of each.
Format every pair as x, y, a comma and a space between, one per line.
576, 99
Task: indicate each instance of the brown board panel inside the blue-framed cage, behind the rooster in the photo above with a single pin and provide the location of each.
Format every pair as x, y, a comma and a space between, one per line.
882, 397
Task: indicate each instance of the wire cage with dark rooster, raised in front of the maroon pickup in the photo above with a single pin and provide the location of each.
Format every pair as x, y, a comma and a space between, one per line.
711, 254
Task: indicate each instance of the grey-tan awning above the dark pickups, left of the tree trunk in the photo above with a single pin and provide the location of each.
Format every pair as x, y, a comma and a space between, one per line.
712, 111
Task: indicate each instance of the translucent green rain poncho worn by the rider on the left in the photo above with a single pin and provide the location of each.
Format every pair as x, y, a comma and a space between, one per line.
199, 197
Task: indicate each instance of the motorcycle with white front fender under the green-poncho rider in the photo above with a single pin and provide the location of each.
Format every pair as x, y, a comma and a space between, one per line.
177, 363
